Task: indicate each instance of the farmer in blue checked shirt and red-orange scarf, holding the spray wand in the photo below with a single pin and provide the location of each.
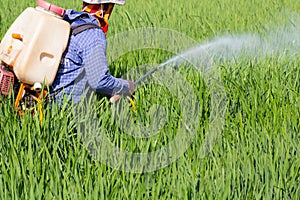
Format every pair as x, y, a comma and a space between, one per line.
84, 65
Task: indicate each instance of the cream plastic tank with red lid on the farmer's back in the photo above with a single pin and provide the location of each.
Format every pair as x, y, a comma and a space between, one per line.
34, 44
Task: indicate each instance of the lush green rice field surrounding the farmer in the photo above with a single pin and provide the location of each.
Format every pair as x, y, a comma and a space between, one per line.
255, 154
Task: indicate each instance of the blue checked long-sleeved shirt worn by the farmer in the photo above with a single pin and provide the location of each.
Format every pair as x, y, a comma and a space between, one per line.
84, 65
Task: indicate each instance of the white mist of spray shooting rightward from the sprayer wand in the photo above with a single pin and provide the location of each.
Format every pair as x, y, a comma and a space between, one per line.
284, 42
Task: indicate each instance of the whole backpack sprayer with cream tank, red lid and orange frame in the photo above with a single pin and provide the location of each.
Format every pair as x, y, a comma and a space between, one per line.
29, 58
